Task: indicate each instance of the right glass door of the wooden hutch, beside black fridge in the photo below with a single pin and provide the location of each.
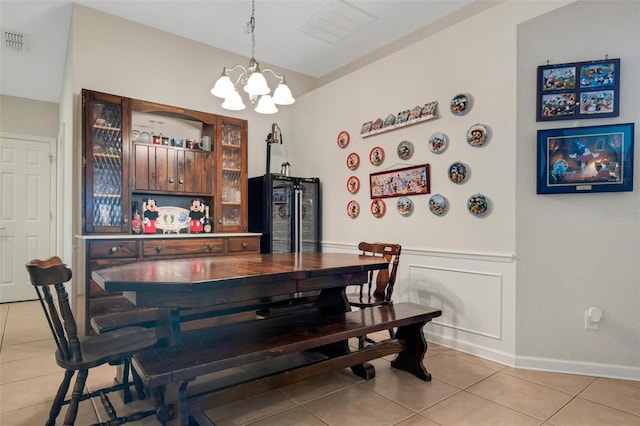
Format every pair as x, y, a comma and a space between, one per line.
232, 179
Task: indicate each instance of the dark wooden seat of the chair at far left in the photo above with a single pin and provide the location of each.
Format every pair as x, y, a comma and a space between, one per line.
109, 347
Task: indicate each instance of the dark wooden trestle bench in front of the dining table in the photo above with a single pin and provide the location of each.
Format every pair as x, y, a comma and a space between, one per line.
291, 347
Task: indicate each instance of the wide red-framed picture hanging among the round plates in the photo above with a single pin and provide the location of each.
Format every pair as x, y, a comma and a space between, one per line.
411, 180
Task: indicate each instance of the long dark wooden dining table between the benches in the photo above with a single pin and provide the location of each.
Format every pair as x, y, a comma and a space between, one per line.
235, 282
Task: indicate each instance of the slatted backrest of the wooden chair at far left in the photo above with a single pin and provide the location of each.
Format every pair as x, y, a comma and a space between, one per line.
46, 274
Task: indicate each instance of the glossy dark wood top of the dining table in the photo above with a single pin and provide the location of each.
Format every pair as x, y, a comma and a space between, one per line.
203, 273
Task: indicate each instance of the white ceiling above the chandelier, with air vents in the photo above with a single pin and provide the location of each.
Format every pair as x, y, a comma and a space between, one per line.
286, 32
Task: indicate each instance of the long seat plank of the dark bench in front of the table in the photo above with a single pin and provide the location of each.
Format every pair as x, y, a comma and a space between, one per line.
208, 350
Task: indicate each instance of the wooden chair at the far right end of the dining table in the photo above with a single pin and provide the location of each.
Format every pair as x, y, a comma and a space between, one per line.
380, 283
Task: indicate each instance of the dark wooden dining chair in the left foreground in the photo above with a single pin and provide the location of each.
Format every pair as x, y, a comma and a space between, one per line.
78, 354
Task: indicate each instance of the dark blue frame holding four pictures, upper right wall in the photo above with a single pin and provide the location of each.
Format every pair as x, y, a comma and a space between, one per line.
578, 90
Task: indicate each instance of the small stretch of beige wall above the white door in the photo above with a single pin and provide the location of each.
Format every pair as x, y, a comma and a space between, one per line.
28, 117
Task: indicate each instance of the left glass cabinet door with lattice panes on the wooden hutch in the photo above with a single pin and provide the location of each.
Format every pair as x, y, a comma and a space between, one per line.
106, 203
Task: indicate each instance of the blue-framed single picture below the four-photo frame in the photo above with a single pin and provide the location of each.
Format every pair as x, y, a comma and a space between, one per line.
585, 159
